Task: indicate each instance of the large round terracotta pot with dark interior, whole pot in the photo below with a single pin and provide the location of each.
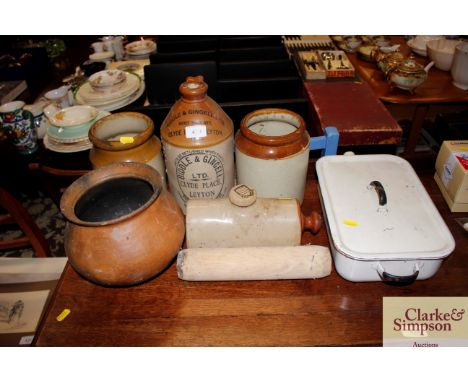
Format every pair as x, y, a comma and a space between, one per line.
123, 226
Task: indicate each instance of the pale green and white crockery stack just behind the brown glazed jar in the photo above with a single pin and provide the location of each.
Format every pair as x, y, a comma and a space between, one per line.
68, 131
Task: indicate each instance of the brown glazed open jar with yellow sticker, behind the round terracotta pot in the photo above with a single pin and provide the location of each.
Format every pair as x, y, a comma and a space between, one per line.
126, 137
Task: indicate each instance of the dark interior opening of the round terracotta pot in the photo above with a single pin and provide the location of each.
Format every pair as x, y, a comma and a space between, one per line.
113, 199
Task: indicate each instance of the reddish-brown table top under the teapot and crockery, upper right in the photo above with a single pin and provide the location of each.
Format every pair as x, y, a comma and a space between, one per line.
438, 87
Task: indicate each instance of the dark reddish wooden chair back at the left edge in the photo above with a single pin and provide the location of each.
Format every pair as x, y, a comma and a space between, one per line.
16, 214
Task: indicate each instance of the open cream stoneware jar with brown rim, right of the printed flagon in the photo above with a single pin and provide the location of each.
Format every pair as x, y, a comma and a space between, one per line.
272, 153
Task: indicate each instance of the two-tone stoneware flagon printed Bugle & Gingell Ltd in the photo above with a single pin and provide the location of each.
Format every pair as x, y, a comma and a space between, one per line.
198, 145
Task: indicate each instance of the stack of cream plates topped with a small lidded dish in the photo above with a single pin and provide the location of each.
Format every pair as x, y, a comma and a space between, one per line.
110, 90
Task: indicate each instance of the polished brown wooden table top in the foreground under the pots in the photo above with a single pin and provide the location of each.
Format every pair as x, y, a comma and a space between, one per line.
169, 312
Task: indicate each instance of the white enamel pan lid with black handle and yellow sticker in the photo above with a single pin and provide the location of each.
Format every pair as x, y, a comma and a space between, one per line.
378, 209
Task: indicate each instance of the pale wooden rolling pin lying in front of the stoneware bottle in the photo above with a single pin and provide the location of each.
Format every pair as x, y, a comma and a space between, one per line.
254, 263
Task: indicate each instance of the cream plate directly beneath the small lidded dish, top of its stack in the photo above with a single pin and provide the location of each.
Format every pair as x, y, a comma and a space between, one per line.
86, 95
